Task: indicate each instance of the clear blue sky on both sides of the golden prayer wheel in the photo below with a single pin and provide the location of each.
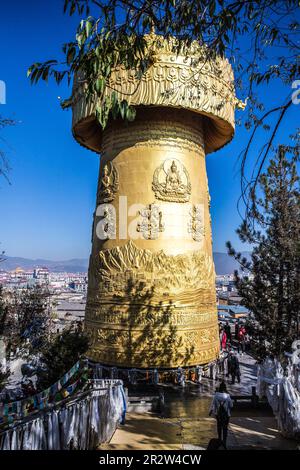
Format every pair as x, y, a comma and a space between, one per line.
47, 209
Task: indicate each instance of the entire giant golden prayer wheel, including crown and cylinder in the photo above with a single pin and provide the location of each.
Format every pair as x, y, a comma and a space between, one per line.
151, 291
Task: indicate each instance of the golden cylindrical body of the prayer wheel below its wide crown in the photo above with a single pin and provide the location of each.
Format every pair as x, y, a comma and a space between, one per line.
151, 295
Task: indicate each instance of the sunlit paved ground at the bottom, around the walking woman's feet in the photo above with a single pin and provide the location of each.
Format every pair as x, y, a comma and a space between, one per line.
149, 432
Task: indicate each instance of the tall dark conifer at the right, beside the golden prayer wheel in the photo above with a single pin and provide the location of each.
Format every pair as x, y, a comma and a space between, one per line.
272, 291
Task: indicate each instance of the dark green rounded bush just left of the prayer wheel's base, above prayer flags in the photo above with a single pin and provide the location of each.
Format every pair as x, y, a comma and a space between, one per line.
60, 353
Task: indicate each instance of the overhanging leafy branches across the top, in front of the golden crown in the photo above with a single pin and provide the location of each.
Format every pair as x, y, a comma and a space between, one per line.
258, 36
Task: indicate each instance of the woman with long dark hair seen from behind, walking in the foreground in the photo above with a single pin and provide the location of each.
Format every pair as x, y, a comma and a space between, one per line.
220, 409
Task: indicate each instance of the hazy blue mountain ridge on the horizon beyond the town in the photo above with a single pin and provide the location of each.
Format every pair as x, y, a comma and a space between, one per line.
224, 264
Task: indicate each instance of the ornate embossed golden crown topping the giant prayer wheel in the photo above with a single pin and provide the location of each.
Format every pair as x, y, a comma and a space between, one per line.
181, 75
